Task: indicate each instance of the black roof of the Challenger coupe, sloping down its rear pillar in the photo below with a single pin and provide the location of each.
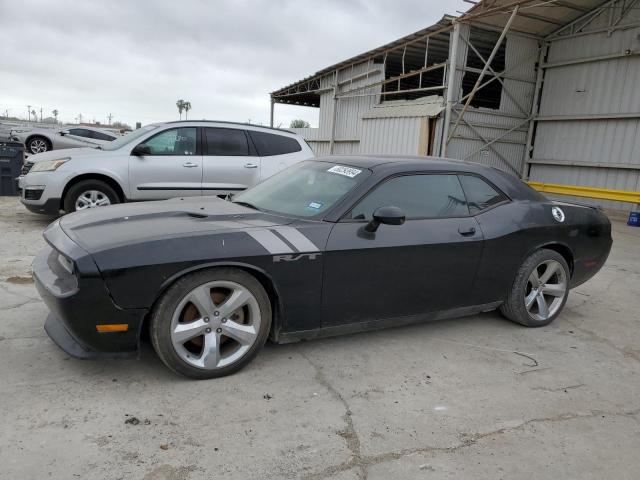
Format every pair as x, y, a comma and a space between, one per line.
385, 165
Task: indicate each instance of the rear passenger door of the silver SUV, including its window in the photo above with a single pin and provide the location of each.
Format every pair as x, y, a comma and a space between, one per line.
230, 163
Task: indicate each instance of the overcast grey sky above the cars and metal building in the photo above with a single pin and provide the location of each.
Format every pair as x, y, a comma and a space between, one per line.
135, 59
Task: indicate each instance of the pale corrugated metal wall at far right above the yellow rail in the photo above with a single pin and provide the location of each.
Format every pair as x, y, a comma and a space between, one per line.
598, 152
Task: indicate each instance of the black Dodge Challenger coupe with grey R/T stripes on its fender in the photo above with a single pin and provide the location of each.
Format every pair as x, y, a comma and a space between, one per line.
329, 246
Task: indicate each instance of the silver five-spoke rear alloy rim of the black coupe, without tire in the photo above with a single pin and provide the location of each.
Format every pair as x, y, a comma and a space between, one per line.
545, 291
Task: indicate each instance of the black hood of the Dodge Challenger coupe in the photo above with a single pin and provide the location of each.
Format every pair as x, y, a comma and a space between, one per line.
105, 228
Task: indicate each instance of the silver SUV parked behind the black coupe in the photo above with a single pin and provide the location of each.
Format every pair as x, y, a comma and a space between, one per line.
158, 162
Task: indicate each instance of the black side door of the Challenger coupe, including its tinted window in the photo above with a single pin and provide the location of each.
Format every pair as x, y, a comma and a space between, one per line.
427, 264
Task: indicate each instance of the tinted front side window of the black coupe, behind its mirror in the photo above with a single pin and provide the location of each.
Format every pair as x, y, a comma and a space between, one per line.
418, 196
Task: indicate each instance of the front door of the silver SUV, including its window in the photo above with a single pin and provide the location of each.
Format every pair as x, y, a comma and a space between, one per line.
173, 168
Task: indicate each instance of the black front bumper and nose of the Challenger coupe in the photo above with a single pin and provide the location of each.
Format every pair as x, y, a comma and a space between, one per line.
80, 301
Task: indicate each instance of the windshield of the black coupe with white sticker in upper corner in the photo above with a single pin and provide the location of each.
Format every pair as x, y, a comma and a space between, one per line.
305, 190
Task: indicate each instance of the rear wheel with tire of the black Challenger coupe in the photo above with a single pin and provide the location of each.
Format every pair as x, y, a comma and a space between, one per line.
524, 303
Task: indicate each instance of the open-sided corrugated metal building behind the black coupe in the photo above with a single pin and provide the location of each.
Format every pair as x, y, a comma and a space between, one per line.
546, 89
